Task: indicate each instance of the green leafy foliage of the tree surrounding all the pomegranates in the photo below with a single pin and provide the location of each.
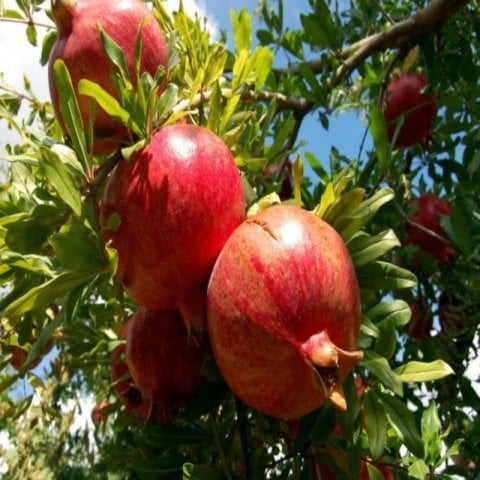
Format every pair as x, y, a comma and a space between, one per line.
60, 287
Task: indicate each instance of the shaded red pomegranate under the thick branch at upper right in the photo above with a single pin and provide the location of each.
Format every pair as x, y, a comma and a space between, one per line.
405, 102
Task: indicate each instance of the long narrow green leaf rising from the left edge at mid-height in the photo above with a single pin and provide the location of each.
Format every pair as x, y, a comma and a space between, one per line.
39, 297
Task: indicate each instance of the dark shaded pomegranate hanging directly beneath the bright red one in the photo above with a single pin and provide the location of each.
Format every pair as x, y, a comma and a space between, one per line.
164, 361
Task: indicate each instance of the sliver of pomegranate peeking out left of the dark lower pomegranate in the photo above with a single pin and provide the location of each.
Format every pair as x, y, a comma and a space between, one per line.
127, 391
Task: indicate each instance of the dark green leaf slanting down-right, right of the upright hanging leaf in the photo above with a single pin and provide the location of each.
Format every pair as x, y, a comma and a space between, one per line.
403, 422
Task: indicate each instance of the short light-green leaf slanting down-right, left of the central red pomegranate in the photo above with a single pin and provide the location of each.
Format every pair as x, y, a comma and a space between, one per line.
61, 180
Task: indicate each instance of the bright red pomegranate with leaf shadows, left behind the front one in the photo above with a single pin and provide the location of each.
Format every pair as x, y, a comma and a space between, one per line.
178, 199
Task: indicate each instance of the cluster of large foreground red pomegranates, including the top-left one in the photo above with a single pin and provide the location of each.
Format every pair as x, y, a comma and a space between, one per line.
274, 297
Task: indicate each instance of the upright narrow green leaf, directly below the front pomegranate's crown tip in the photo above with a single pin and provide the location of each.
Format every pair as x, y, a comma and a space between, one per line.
375, 422
